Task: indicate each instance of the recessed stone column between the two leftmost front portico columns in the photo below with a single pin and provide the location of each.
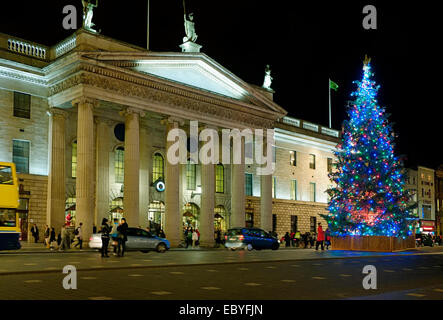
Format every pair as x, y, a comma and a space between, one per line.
103, 147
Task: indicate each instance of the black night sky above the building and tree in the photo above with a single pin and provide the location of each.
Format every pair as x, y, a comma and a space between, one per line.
304, 42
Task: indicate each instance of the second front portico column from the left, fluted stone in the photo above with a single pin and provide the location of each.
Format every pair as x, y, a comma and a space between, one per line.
132, 166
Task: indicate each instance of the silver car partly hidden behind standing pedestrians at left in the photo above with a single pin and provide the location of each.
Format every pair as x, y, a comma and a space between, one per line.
138, 240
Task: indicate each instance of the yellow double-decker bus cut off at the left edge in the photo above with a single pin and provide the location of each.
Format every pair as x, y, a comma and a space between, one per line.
9, 201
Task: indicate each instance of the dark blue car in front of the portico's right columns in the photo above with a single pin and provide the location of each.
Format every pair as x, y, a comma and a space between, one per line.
250, 238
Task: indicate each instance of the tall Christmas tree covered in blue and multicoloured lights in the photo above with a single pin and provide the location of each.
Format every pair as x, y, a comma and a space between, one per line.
369, 198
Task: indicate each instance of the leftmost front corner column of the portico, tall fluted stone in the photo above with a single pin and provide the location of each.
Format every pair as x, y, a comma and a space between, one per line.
85, 165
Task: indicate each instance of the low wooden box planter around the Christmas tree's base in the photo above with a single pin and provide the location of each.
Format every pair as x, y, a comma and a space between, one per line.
372, 243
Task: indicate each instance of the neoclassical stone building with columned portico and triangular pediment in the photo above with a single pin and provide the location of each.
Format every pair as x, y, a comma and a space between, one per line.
86, 123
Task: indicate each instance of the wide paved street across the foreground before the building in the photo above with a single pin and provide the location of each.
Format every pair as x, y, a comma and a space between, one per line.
286, 274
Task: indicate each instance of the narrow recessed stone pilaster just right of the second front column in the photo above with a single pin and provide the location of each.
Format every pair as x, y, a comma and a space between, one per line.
145, 161
